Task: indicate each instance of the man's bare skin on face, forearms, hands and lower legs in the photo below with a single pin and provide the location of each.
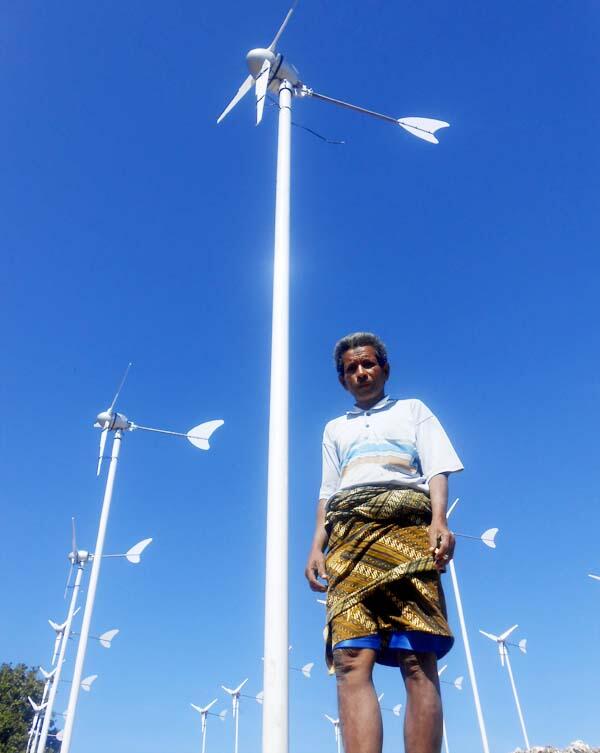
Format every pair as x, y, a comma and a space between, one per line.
359, 708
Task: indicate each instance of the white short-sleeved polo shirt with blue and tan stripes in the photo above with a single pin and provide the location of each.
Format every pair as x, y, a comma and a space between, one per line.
394, 443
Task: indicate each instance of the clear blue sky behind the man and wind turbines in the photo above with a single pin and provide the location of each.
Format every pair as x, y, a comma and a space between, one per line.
133, 228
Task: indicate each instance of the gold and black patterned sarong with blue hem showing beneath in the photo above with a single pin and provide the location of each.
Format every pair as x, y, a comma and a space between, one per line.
384, 590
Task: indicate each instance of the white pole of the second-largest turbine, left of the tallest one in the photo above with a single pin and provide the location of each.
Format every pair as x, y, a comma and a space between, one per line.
91, 595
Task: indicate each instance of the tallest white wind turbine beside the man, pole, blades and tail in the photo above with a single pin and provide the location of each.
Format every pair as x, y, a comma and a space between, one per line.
269, 71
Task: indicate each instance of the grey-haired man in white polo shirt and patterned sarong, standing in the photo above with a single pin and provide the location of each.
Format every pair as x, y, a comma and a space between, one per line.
382, 519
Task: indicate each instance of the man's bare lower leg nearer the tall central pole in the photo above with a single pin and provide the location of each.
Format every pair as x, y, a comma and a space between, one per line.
360, 714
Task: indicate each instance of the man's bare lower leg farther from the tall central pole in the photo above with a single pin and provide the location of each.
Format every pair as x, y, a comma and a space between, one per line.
423, 718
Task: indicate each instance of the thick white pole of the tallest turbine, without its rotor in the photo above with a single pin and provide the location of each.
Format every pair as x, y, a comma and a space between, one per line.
275, 704
